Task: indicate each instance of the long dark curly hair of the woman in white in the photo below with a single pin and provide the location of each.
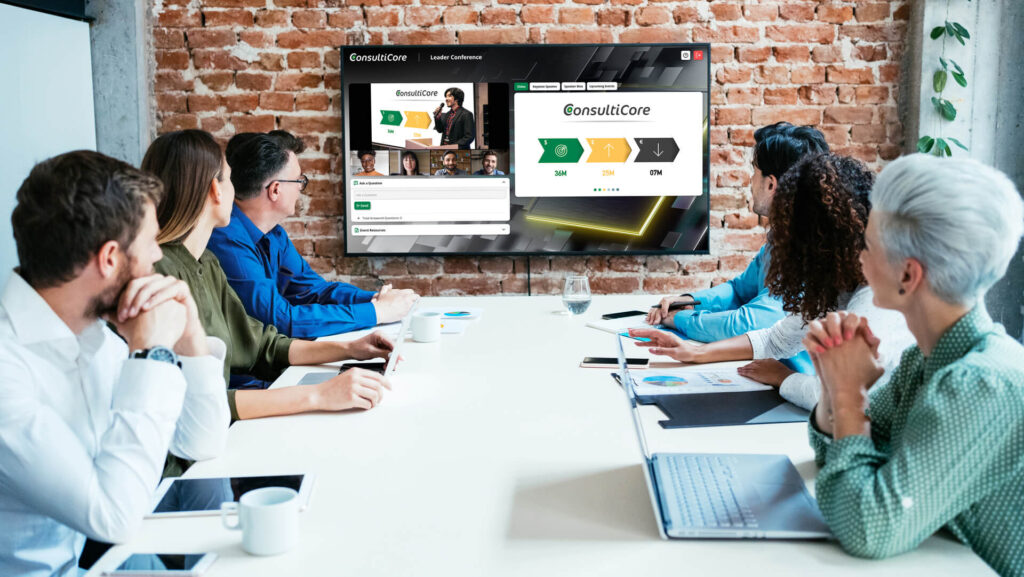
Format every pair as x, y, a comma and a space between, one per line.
819, 218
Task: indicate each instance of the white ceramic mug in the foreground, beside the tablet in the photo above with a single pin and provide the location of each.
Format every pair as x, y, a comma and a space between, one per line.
269, 519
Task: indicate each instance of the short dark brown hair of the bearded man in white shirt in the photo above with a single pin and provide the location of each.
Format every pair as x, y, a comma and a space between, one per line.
70, 207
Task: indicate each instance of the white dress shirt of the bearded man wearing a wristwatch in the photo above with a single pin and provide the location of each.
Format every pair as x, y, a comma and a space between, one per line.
84, 432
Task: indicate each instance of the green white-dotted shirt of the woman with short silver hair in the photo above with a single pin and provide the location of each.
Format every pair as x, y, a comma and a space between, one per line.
947, 451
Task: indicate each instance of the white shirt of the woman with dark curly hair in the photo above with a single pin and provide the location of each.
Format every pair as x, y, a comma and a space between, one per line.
785, 340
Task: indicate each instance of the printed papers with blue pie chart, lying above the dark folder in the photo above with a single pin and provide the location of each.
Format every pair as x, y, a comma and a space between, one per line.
692, 381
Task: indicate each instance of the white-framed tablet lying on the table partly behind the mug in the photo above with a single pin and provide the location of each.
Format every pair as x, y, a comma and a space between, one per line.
202, 497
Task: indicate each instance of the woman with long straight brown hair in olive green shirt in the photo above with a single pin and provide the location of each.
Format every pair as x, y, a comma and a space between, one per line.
198, 197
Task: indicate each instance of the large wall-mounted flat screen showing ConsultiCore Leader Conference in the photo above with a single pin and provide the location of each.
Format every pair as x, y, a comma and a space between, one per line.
526, 149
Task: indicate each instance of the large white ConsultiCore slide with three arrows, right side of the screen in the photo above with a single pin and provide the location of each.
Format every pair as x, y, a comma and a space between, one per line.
609, 144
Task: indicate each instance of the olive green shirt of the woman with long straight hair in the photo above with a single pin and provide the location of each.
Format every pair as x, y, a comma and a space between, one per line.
253, 349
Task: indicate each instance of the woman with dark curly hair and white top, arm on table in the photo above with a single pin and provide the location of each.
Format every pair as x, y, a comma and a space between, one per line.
819, 218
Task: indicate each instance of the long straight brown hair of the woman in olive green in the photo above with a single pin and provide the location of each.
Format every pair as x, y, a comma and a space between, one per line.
187, 161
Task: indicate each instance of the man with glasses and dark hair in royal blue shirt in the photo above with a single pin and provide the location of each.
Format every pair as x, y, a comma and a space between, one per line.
274, 281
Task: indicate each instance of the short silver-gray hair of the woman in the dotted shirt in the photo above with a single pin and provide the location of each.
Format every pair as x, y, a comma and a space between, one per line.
962, 220
